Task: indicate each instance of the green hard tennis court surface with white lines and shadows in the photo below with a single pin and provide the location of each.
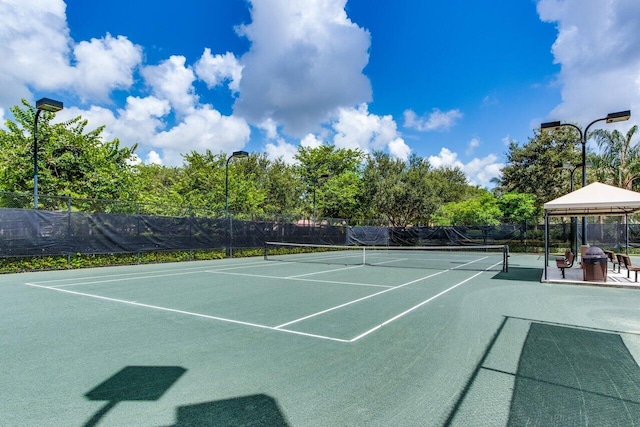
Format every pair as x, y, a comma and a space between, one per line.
252, 342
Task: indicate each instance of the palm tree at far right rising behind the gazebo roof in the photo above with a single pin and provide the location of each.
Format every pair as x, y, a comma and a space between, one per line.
619, 155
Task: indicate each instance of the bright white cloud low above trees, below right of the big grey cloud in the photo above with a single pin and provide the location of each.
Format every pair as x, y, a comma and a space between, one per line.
358, 128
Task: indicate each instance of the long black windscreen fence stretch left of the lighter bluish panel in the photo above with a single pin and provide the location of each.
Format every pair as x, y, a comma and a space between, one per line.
39, 233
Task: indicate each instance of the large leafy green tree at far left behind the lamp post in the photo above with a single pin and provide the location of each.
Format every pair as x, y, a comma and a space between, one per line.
71, 162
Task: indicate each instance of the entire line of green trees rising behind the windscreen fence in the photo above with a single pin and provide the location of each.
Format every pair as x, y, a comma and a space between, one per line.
324, 182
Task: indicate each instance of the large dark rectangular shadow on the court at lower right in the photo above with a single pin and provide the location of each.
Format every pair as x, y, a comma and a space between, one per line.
570, 376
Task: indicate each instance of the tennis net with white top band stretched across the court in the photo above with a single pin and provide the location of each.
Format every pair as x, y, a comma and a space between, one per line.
476, 258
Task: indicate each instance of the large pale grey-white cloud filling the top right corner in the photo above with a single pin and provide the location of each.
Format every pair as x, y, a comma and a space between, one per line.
598, 49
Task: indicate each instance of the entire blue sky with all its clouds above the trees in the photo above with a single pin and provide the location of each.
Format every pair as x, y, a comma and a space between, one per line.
449, 81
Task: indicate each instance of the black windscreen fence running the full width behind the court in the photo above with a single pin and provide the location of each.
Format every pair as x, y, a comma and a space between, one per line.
25, 232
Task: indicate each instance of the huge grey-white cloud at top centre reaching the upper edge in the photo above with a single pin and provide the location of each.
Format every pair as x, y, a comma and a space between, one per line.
305, 62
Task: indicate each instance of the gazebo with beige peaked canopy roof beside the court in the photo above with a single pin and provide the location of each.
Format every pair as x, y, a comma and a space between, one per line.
594, 199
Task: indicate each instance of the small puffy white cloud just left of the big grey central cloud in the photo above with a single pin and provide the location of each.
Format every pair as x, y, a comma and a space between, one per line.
216, 69
